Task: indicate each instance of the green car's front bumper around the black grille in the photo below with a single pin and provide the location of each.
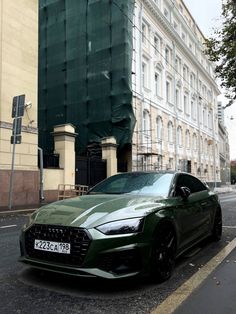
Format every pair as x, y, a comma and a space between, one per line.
108, 257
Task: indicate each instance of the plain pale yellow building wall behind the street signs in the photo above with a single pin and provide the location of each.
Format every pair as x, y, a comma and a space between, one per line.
18, 75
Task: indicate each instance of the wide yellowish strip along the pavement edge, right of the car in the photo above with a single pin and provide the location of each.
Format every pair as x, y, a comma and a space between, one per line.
171, 303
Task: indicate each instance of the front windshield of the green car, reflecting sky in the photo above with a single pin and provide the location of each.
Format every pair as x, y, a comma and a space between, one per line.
135, 183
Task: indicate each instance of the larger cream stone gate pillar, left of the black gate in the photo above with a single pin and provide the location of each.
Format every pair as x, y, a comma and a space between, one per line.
64, 140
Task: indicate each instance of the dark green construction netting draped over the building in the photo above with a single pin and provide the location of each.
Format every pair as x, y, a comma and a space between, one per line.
85, 65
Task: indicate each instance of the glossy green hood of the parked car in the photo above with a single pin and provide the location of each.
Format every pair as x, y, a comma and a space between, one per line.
89, 211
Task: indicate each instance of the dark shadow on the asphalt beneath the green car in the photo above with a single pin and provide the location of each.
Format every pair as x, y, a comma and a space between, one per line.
87, 287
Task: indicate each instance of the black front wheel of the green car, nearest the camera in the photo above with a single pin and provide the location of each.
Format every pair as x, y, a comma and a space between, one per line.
163, 253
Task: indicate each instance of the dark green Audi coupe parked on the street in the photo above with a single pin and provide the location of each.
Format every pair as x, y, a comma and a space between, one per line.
130, 224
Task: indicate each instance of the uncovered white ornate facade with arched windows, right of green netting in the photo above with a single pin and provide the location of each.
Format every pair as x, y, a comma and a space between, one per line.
175, 93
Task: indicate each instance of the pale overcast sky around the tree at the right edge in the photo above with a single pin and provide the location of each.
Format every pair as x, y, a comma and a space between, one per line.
207, 15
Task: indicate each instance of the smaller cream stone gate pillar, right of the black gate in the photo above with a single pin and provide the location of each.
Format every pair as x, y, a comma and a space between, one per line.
109, 154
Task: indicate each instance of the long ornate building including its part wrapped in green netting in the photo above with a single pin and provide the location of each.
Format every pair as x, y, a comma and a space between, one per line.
115, 63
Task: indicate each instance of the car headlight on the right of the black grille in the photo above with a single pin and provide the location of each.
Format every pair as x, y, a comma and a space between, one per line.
132, 225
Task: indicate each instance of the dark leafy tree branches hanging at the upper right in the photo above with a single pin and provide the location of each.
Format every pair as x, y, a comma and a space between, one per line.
221, 49
